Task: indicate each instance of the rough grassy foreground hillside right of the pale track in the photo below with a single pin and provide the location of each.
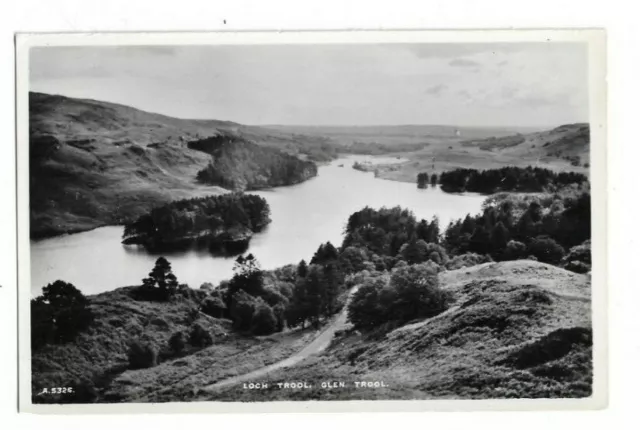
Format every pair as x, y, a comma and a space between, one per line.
490, 343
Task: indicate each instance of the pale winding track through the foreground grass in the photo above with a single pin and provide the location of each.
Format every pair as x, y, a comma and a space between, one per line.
319, 344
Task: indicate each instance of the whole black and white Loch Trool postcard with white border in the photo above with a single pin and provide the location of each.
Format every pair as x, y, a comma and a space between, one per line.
294, 219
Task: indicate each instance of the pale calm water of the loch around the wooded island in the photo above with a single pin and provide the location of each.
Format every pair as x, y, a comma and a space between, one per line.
303, 216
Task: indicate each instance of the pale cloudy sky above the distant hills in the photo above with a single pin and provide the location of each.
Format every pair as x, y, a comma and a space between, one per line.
510, 84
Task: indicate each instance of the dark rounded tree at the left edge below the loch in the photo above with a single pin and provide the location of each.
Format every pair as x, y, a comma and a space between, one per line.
59, 314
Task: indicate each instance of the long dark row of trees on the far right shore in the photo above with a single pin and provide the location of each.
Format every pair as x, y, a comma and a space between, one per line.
528, 179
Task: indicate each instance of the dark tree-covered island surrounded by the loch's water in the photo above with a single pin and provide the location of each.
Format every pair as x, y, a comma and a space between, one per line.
224, 223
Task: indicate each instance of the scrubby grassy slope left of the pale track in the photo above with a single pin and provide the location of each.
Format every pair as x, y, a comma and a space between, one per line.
100, 353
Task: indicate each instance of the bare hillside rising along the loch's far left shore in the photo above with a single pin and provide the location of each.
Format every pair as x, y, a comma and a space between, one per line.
95, 163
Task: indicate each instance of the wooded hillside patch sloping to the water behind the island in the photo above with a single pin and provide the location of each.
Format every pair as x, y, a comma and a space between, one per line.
237, 164
